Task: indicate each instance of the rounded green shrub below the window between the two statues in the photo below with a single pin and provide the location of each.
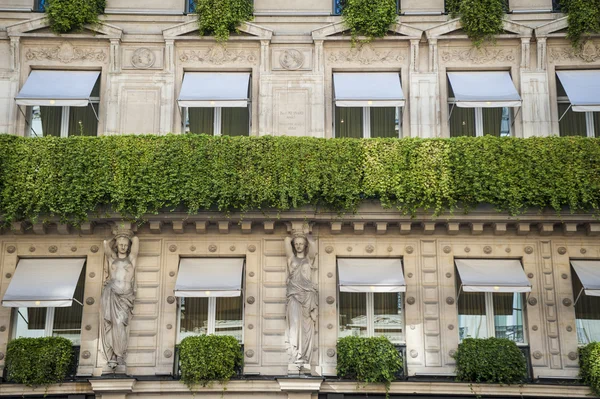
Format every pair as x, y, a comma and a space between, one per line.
208, 358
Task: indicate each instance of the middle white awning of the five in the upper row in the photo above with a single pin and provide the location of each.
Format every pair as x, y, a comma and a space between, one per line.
368, 90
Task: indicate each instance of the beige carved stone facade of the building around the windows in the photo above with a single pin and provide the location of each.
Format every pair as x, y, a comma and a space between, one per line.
291, 51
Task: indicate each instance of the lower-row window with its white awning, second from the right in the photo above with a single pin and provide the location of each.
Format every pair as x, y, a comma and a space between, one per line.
491, 299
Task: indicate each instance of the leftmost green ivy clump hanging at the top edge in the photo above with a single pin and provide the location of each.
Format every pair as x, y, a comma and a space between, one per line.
72, 15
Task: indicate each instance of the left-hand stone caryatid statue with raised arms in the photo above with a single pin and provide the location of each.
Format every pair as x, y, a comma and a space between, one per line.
118, 295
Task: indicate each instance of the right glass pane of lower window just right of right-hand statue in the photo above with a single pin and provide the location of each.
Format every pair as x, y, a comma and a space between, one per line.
388, 320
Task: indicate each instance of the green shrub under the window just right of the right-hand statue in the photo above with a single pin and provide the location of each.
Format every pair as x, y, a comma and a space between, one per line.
368, 360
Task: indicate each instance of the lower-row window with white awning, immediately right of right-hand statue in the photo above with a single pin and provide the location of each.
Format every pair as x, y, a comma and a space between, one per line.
371, 298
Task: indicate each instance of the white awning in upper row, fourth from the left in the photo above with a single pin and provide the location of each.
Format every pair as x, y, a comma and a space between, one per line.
484, 89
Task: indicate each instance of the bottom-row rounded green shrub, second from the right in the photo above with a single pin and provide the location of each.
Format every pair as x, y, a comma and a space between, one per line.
495, 360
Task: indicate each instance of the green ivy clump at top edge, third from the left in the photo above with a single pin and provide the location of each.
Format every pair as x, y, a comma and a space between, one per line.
369, 18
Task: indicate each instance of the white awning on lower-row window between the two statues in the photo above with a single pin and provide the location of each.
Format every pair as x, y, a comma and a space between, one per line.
209, 277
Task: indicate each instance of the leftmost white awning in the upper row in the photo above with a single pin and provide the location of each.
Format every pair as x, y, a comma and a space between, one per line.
58, 88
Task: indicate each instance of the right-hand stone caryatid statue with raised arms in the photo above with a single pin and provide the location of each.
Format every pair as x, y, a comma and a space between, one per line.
302, 299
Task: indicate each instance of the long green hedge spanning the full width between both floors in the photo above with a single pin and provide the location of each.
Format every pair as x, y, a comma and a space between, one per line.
70, 178
